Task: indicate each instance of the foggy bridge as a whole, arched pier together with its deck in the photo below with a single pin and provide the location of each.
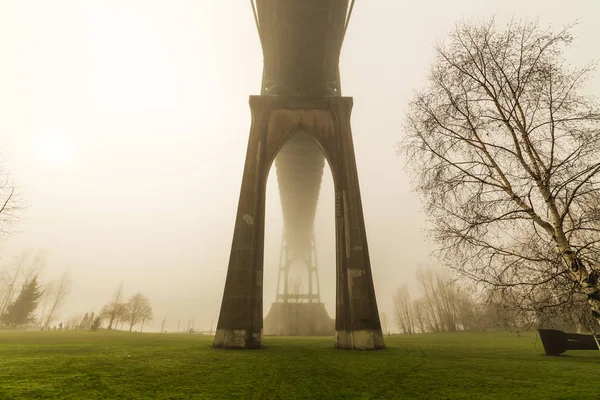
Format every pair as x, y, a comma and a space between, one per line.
299, 121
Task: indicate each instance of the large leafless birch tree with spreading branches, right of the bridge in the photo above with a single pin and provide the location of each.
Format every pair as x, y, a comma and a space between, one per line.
505, 151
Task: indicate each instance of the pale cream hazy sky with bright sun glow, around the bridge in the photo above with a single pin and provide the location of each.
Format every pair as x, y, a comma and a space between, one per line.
124, 124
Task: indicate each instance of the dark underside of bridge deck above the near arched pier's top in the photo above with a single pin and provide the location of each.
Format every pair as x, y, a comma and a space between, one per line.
301, 42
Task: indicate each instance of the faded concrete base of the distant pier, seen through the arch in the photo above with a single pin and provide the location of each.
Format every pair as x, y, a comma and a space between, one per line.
298, 319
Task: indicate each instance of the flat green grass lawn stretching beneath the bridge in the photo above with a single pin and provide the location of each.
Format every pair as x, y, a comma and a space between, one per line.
122, 365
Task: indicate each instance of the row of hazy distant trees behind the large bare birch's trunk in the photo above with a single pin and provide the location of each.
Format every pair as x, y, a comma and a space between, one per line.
443, 304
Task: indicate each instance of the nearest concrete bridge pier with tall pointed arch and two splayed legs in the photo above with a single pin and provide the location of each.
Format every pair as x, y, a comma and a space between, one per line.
274, 120
